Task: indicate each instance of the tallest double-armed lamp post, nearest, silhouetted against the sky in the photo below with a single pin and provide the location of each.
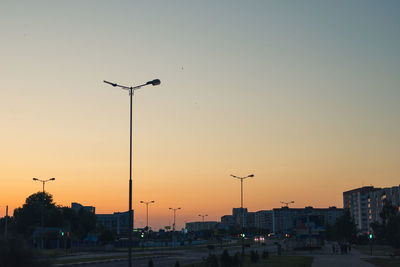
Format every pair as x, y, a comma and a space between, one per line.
131, 92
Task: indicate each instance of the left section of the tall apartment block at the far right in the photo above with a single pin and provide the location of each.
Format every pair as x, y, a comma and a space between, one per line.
356, 201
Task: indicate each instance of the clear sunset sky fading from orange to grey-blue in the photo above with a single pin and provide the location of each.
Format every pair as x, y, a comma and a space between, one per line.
303, 94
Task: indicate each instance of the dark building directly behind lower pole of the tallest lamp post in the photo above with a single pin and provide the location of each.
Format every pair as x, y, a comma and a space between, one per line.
118, 222
